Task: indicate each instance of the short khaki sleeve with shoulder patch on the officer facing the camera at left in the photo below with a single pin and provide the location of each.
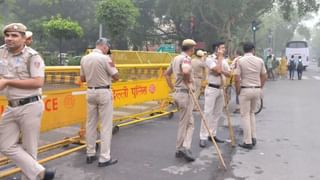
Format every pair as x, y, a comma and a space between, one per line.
37, 66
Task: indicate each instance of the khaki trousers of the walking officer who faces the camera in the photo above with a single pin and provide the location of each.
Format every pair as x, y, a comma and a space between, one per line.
27, 120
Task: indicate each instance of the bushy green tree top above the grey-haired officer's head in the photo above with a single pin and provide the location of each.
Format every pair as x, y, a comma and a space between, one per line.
119, 16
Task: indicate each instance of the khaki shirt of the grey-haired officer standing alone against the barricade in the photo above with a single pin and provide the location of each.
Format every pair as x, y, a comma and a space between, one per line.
97, 68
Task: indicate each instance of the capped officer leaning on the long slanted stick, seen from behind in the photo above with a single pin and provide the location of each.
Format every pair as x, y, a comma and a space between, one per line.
181, 68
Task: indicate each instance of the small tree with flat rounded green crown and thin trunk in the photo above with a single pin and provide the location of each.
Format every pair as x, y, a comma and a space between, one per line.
61, 29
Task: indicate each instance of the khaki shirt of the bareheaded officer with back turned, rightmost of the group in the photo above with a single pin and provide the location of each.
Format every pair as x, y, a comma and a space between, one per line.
249, 69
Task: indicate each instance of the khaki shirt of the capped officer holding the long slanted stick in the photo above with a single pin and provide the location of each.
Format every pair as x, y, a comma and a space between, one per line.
176, 68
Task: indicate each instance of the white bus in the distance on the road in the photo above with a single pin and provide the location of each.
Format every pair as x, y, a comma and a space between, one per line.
298, 49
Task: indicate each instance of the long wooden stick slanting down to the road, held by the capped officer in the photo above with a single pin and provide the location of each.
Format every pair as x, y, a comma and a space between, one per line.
207, 127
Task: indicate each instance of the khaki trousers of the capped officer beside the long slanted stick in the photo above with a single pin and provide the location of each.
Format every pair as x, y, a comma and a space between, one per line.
186, 121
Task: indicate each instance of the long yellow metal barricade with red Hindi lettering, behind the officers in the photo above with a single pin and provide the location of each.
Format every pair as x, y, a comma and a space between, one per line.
139, 83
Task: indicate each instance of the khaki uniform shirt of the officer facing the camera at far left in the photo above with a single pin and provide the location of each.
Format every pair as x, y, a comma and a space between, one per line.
24, 65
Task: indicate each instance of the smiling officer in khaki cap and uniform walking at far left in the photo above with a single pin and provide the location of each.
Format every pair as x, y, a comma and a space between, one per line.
22, 76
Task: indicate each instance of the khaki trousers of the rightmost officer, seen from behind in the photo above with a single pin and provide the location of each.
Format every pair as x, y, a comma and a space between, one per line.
248, 103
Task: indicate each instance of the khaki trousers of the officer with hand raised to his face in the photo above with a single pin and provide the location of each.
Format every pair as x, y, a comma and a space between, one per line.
213, 108
